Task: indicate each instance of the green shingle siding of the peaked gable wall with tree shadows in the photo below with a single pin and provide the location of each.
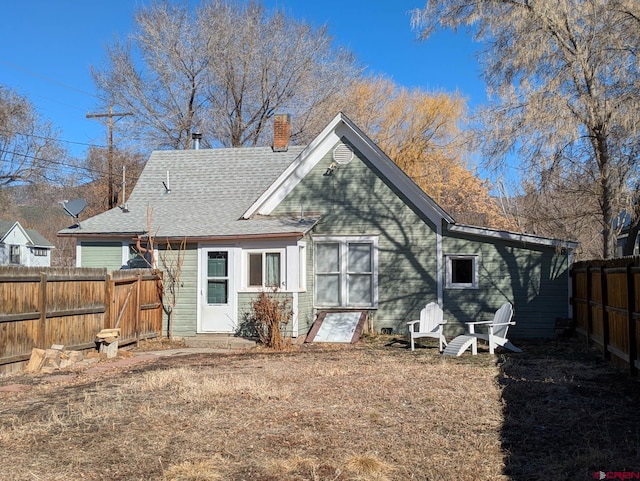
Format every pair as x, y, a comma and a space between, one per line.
356, 201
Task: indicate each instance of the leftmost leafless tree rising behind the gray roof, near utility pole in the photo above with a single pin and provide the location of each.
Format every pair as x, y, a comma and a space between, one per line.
158, 75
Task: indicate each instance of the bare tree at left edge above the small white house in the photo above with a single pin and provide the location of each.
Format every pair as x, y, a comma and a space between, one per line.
29, 149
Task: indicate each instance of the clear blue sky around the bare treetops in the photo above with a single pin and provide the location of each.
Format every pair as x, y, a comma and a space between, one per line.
47, 48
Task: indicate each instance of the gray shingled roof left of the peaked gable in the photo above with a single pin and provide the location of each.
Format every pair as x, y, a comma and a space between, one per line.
210, 190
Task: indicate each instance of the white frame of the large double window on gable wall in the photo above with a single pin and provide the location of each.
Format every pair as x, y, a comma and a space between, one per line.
344, 273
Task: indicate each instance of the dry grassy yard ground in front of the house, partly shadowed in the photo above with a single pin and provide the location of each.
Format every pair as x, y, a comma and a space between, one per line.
372, 411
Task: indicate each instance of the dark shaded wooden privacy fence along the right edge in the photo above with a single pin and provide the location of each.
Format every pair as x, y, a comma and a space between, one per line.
606, 299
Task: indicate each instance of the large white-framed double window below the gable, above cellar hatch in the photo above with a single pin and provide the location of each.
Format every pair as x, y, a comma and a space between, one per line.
346, 272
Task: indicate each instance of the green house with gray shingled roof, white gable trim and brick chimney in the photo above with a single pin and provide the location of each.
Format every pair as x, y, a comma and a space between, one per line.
335, 225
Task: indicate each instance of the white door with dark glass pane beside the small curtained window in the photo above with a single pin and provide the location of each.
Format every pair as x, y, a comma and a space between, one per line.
217, 291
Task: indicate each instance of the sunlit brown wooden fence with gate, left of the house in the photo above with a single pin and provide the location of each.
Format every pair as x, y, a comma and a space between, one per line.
40, 307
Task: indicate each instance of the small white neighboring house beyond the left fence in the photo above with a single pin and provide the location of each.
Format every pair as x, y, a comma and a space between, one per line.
23, 247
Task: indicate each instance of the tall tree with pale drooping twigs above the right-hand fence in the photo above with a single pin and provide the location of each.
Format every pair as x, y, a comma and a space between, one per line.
563, 80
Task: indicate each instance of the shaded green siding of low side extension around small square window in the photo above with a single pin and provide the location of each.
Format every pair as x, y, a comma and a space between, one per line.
533, 279
